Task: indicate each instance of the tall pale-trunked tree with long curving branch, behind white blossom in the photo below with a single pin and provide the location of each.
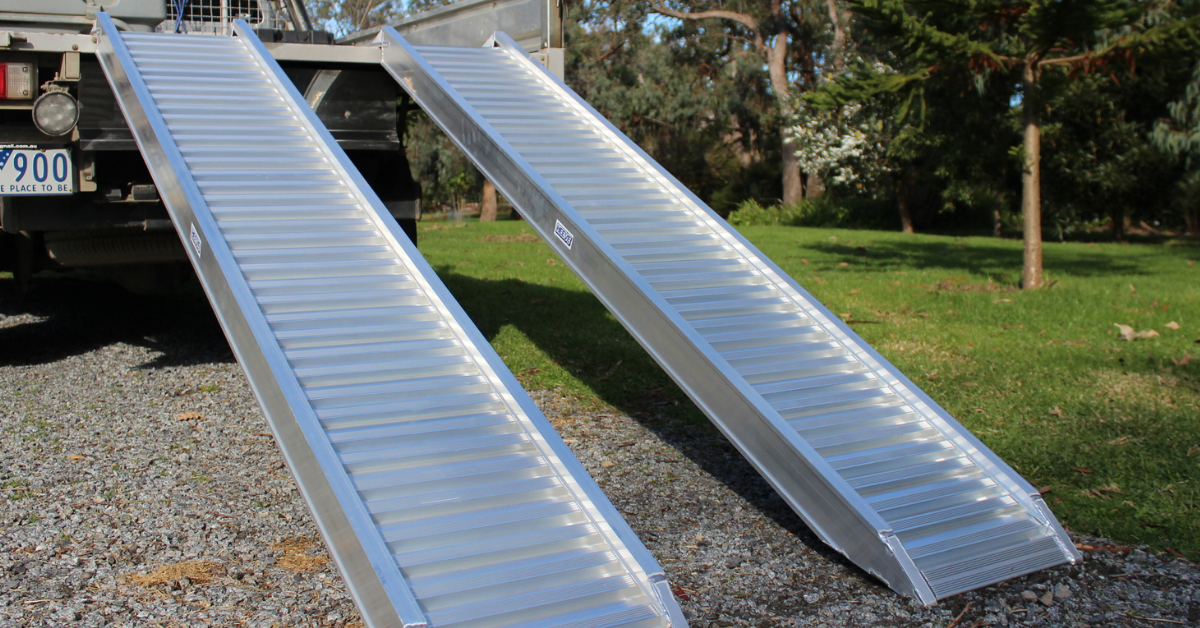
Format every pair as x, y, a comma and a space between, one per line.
781, 32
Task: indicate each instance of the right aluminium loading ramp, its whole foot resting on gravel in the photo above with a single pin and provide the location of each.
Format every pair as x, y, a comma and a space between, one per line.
868, 460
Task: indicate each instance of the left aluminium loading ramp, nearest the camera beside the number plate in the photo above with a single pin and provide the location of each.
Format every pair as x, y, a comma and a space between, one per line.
445, 495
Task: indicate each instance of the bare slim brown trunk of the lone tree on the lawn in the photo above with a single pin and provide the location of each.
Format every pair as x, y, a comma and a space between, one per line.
1031, 181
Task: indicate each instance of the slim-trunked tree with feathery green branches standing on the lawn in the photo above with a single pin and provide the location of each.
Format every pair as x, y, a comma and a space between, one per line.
1024, 40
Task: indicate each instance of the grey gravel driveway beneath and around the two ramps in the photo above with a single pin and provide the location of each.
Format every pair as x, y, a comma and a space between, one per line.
140, 487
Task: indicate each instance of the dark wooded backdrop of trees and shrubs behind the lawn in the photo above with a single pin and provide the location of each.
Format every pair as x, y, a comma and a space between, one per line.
1121, 140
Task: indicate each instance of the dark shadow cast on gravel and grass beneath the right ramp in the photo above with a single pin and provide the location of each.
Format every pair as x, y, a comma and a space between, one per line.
577, 331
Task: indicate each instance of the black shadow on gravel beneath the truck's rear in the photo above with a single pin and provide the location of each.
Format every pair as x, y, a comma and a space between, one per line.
74, 314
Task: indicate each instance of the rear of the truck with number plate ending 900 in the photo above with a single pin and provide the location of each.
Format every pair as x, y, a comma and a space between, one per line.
75, 192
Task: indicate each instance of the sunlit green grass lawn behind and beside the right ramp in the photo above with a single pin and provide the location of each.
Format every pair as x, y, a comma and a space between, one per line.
1108, 429
